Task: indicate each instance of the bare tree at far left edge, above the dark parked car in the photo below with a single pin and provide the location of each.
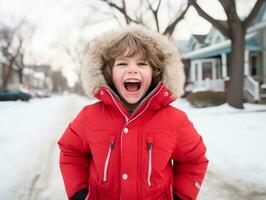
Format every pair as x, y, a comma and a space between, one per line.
12, 49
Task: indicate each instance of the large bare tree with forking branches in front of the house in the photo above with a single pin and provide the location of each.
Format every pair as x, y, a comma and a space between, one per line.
235, 30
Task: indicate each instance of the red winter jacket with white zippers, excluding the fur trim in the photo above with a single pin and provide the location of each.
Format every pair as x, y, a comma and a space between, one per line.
147, 155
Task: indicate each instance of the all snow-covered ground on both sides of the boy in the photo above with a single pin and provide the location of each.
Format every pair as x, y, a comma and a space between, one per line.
29, 154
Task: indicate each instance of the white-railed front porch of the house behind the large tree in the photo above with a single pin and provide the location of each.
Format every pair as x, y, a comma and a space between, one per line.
209, 68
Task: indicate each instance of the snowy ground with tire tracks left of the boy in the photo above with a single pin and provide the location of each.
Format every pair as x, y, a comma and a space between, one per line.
28, 149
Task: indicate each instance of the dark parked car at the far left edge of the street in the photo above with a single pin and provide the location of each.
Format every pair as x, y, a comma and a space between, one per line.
14, 95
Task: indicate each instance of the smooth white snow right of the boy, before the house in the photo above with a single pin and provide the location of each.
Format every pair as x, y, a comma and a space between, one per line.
235, 141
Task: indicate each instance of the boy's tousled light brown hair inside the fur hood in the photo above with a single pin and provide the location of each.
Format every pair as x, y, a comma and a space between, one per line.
132, 43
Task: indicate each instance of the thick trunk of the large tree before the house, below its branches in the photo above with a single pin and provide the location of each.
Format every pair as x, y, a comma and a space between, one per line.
236, 62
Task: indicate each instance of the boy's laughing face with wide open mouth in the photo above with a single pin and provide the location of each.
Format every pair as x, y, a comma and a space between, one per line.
132, 77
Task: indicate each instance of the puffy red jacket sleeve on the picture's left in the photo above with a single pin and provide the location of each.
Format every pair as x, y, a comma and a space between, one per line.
74, 156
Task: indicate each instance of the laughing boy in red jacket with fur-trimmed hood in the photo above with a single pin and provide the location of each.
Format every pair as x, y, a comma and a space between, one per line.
132, 144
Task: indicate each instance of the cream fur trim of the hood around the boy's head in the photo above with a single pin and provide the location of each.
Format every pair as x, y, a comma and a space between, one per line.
92, 75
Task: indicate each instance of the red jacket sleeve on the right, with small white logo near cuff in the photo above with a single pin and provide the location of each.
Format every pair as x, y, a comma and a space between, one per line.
190, 163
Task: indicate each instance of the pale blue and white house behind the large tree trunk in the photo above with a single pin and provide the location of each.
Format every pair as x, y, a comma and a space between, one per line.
207, 60
